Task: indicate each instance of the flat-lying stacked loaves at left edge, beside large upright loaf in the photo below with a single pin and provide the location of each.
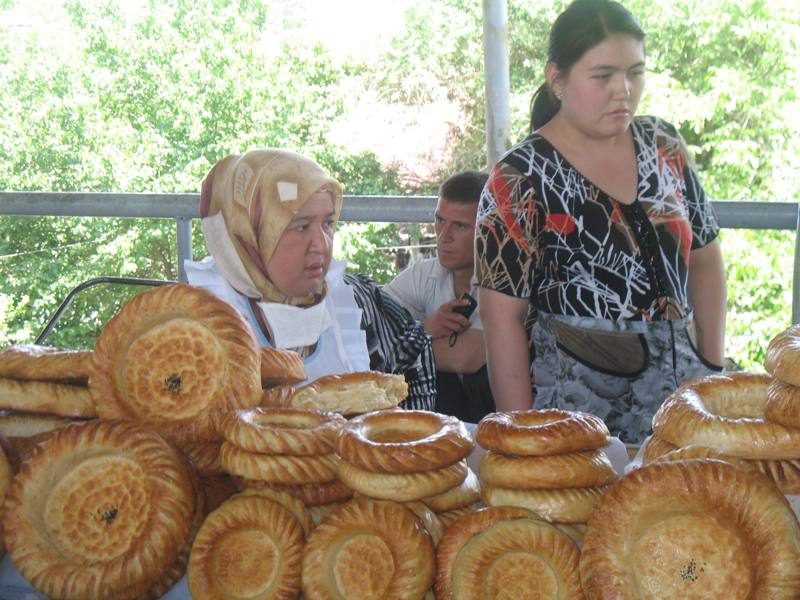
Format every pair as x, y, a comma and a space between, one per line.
42, 388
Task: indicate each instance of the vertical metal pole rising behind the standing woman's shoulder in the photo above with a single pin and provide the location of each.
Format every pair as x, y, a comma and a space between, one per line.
496, 77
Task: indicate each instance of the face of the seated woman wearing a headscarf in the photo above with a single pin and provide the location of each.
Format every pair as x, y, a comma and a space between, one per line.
301, 259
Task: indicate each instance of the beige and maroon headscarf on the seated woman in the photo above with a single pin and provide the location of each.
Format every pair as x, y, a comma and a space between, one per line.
246, 203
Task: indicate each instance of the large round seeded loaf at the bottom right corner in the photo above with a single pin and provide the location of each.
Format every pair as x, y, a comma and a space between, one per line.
692, 529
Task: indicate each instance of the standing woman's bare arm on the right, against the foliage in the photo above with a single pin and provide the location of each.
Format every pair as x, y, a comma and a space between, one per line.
708, 296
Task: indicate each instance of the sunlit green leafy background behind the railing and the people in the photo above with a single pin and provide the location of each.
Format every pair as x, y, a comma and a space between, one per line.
145, 96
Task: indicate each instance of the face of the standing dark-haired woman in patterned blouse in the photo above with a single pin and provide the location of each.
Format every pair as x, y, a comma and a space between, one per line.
601, 92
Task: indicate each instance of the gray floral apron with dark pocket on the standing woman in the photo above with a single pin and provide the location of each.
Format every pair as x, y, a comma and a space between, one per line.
620, 371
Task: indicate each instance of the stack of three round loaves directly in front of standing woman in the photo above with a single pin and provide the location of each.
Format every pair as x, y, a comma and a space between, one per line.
548, 461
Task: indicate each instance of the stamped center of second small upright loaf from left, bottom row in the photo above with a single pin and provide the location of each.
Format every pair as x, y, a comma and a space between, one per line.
364, 567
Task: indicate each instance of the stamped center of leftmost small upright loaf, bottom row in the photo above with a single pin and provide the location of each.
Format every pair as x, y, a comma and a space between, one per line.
246, 563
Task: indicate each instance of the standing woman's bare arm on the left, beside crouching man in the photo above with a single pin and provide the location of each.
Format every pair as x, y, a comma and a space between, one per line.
507, 355
